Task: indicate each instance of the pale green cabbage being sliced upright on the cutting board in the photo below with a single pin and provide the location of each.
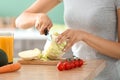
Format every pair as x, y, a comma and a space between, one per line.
54, 50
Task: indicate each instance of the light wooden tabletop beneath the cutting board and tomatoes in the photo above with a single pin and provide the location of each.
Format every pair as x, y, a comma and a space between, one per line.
47, 72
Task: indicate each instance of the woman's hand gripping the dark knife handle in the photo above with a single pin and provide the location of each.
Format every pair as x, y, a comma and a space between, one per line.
43, 23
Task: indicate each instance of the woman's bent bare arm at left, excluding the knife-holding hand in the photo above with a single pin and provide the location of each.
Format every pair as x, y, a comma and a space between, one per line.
28, 17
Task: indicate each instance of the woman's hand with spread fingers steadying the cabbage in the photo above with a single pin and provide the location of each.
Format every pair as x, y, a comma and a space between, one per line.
71, 36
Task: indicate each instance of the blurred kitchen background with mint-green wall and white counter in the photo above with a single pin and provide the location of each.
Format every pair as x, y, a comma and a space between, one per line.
30, 38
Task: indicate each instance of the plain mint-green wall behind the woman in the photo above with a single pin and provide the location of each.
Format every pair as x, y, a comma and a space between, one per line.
12, 8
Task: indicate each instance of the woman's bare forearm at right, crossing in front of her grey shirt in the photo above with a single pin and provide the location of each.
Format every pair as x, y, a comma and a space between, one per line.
104, 46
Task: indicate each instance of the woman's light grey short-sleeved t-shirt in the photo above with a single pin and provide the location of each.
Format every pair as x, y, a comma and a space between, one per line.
97, 17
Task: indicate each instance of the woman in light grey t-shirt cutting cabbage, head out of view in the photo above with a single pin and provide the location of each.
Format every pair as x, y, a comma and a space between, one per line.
94, 29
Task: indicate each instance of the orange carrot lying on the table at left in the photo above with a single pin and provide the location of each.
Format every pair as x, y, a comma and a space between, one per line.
10, 68
